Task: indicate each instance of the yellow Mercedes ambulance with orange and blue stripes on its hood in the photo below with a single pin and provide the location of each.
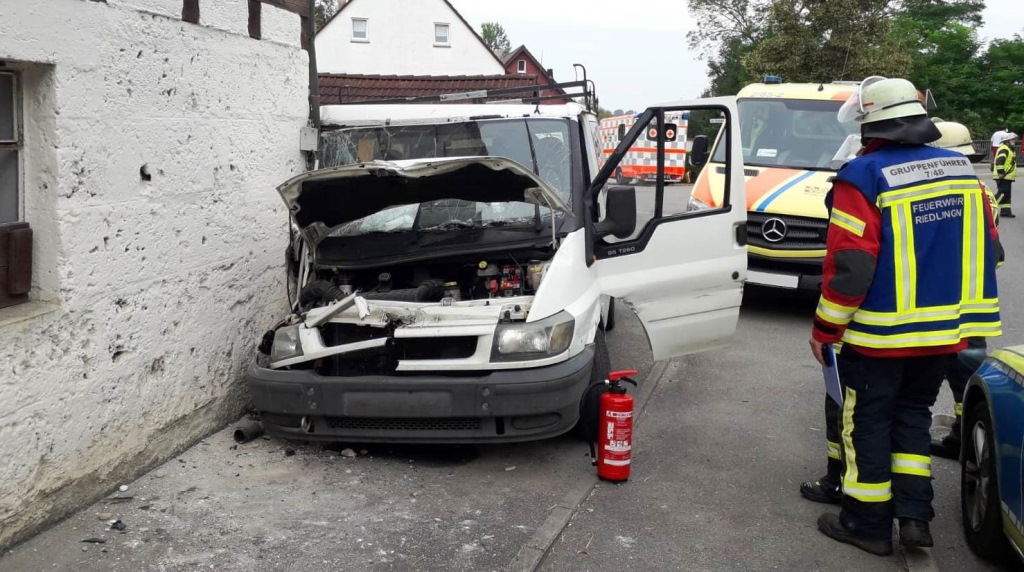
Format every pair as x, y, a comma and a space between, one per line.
792, 147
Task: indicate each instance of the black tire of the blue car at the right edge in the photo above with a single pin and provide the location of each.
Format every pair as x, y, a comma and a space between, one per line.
983, 516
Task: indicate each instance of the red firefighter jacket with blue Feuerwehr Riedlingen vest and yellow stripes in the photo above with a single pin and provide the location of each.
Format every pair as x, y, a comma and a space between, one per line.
912, 254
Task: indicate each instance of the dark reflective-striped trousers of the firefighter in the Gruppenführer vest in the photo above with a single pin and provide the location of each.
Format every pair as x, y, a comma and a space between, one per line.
886, 439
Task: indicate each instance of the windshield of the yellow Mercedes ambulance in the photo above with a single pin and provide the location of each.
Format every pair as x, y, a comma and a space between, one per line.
794, 134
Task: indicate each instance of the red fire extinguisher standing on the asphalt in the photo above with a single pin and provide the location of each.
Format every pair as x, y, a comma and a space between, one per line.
615, 436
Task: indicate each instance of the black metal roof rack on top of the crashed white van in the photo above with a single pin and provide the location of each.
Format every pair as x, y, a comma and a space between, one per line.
585, 94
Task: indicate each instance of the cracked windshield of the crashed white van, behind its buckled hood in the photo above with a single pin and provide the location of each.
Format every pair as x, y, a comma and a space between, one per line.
542, 146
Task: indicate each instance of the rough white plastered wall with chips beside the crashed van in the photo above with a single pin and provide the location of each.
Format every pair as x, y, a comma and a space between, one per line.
149, 294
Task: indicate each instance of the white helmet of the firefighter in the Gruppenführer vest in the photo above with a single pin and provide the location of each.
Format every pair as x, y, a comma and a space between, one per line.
880, 99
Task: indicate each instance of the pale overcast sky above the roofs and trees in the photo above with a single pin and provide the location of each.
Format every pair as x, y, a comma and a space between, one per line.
636, 54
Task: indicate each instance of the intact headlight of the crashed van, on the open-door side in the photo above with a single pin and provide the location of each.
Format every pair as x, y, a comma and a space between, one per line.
522, 341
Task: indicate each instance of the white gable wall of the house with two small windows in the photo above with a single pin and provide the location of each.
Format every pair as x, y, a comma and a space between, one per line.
401, 41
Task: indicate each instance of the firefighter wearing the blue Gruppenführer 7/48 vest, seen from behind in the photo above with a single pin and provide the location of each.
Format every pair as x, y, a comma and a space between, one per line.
910, 275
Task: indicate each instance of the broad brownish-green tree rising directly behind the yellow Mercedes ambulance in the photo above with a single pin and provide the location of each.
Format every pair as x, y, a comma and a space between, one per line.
827, 40
